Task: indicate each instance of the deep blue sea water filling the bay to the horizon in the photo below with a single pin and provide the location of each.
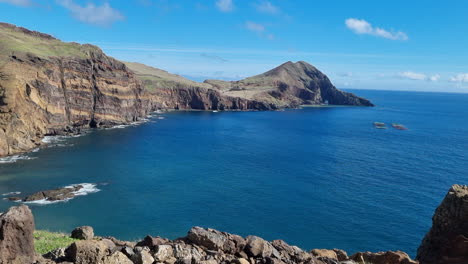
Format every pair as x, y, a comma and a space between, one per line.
314, 177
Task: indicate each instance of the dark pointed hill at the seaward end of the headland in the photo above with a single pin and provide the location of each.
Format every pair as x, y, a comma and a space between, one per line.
289, 85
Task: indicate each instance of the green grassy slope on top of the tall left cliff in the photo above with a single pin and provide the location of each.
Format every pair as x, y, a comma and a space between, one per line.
13, 41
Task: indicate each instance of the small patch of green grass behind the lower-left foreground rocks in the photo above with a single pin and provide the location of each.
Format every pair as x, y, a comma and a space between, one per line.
45, 241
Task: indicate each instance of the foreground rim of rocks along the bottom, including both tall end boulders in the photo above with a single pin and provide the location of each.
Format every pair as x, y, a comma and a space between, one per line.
445, 243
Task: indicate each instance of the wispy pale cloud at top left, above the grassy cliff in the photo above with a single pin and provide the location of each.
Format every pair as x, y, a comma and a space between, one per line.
97, 15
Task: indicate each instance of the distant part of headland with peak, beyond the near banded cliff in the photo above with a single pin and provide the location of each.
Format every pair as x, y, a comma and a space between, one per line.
288, 85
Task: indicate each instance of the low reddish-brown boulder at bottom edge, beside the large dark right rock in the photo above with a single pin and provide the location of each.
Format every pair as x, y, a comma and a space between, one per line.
389, 257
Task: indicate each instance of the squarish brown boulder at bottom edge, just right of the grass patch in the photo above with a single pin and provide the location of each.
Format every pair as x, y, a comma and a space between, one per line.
86, 251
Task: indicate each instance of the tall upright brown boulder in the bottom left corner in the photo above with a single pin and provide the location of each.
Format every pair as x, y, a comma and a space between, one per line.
16, 236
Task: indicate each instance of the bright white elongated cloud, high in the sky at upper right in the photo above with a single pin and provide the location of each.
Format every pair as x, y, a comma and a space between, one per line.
361, 26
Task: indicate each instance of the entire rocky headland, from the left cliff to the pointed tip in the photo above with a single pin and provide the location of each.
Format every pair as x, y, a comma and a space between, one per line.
49, 87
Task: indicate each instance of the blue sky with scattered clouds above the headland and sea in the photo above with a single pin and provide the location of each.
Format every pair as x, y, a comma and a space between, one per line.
391, 45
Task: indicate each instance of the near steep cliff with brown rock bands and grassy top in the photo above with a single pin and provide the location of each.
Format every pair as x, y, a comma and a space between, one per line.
49, 87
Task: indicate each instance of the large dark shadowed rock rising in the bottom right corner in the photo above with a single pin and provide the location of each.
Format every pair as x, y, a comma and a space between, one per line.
447, 240
